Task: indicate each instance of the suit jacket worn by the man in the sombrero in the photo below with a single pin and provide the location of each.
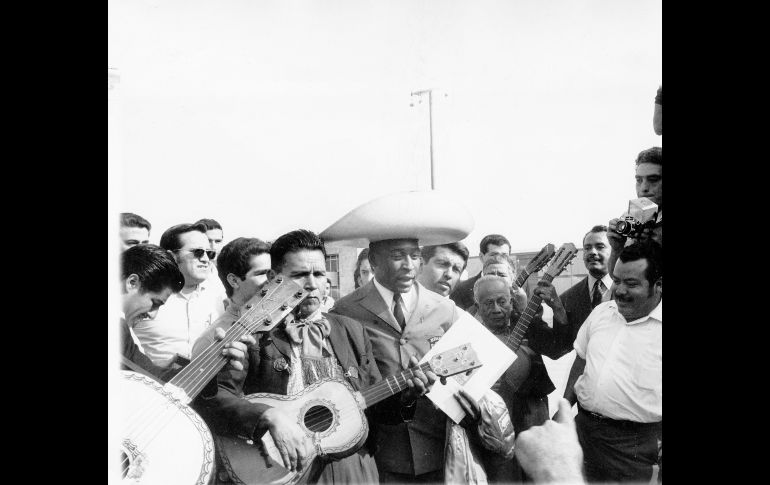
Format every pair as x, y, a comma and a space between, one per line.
409, 440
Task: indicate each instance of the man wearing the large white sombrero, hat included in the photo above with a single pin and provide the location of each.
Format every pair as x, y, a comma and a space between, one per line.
403, 319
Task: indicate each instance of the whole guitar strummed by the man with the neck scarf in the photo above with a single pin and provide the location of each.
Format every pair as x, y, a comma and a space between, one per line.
331, 413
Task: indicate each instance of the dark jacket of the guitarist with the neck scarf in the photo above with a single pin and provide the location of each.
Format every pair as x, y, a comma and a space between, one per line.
227, 413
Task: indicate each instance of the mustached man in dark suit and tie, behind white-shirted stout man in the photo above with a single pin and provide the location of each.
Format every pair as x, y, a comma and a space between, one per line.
581, 298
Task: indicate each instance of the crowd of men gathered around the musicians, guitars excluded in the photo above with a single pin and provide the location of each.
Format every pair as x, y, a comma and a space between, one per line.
183, 295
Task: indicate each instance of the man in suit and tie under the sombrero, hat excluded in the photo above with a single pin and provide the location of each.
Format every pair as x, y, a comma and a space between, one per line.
403, 319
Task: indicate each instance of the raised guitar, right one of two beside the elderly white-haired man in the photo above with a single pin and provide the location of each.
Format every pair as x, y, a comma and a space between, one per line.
519, 370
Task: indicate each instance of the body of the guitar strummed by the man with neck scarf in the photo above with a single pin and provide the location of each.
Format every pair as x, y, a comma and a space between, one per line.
330, 412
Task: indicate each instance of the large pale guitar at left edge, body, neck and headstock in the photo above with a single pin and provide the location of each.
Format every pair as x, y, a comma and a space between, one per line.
164, 442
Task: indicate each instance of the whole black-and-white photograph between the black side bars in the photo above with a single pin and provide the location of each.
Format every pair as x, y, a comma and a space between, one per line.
370, 241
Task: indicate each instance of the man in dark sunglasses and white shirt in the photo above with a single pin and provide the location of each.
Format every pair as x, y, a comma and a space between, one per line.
167, 337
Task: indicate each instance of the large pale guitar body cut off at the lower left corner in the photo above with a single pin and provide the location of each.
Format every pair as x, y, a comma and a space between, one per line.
166, 442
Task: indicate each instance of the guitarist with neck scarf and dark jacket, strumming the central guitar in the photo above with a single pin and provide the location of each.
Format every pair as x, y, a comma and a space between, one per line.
289, 358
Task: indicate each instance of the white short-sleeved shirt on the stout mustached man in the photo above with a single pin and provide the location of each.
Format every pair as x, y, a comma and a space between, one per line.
623, 377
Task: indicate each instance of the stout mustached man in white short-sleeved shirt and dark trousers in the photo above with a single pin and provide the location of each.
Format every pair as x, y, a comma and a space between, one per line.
617, 375
